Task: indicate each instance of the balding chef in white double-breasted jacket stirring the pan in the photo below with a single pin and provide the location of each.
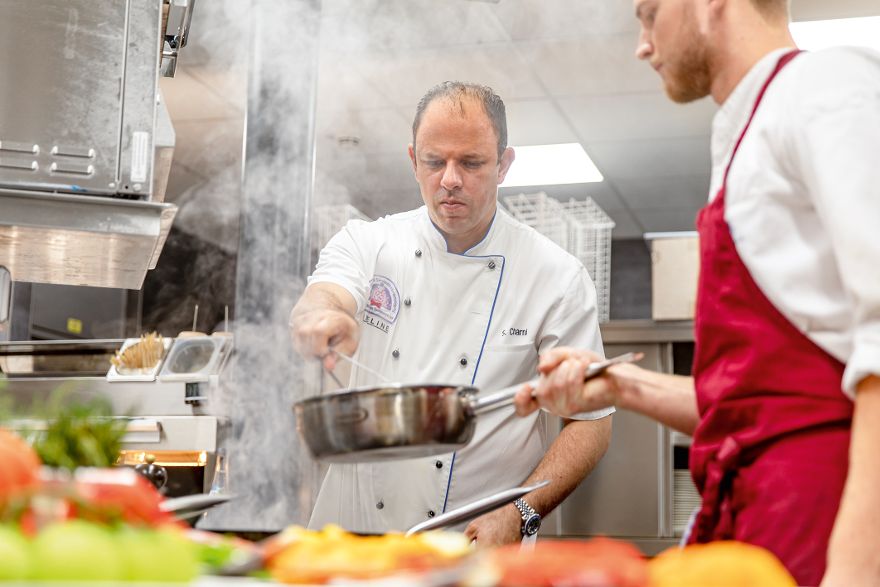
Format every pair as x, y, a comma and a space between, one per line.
456, 292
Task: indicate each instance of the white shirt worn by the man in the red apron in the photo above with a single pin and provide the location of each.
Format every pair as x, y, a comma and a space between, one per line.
803, 196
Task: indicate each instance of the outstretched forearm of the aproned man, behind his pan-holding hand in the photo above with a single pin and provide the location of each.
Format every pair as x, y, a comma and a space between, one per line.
669, 399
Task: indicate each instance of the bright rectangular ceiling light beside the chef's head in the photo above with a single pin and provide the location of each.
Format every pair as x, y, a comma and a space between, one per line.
551, 165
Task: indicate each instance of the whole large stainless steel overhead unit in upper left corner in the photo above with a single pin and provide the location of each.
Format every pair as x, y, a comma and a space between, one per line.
85, 143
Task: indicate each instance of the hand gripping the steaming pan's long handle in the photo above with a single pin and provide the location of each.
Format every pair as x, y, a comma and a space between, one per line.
562, 390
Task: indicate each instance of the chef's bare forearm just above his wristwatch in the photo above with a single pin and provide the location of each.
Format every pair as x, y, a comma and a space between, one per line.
575, 452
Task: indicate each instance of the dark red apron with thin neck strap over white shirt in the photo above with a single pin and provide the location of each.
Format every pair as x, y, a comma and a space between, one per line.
770, 453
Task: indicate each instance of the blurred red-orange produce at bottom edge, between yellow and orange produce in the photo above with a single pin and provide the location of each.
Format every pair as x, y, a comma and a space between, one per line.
600, 562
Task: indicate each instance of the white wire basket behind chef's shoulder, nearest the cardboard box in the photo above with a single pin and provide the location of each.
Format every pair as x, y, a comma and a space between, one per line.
589, 239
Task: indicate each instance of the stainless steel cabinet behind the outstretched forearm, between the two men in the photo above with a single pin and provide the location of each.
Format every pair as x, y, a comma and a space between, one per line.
638, 492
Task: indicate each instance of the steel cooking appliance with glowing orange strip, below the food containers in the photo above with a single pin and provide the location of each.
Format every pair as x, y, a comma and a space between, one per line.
168, 422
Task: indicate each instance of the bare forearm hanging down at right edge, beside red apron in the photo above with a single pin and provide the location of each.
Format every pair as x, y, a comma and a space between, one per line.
852, 556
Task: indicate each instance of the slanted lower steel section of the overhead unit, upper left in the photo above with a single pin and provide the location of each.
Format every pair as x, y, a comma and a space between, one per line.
81, 240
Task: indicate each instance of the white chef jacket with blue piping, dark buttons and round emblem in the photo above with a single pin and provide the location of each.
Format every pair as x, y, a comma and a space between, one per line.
479, 318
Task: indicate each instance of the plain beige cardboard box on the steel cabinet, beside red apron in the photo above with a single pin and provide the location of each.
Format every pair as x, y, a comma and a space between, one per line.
675, 266
